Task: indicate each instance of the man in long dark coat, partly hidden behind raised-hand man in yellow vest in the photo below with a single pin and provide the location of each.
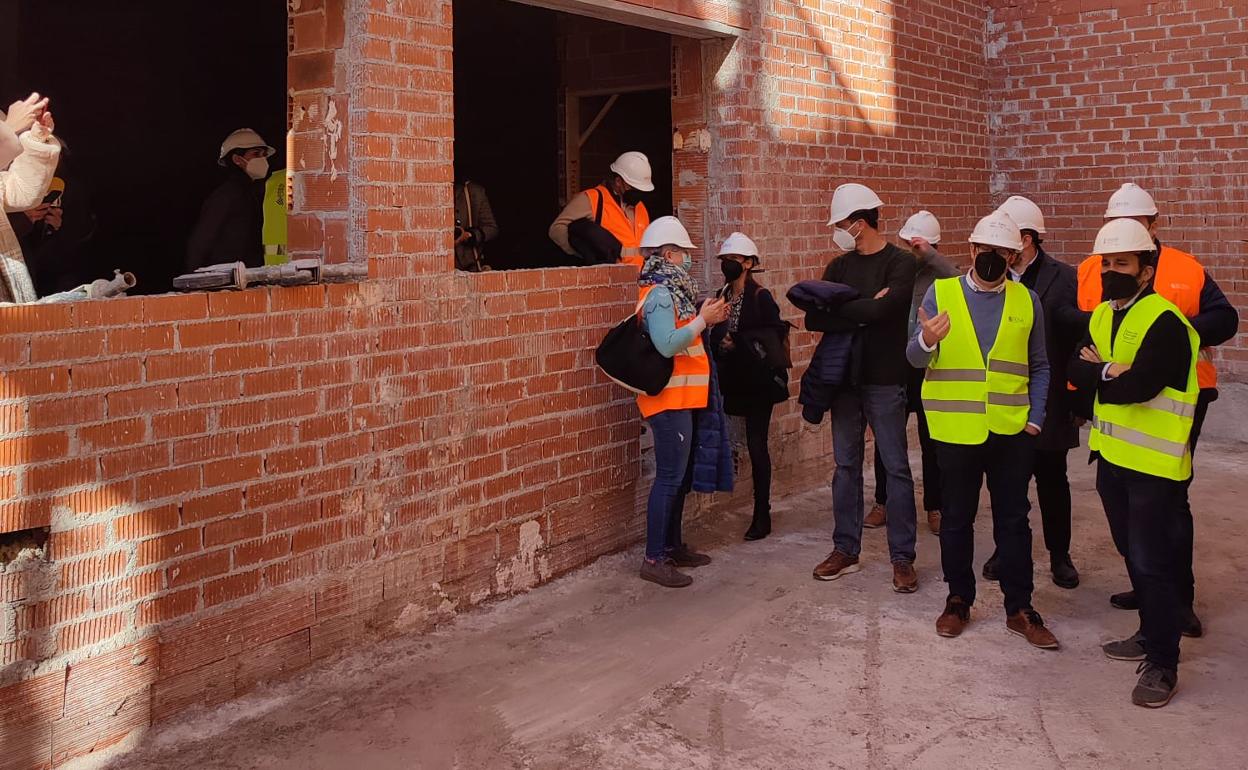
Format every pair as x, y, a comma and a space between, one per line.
1056, 286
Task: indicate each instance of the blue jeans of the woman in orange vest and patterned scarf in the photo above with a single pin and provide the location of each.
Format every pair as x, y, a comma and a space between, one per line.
673, 479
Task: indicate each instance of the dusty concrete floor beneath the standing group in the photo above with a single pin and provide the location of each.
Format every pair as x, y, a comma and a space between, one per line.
758, 666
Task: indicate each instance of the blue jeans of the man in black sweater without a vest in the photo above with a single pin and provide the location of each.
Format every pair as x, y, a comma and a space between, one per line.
884, 409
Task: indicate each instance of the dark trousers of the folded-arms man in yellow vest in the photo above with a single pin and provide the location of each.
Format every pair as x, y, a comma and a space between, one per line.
1144, 514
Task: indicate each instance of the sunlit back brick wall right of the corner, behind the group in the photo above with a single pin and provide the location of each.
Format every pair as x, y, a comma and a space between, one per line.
1090, 95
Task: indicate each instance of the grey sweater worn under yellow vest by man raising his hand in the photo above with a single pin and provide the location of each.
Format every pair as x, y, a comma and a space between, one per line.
987, 309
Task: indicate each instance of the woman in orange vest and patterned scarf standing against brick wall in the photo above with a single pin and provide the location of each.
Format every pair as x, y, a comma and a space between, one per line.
668, 304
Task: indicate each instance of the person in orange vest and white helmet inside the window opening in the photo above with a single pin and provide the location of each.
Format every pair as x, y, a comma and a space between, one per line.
623, 215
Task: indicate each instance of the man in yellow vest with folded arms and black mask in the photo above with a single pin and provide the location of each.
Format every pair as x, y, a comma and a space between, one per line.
1139, 359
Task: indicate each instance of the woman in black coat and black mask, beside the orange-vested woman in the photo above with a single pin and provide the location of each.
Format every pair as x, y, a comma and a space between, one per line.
753, 365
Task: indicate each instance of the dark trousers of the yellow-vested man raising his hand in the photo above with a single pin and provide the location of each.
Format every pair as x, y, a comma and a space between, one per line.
1008, 464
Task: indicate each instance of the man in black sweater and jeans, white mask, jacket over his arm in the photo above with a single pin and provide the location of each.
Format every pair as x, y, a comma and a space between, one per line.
884, 276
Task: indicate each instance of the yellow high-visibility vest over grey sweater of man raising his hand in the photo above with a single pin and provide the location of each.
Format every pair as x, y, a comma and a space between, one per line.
967, 399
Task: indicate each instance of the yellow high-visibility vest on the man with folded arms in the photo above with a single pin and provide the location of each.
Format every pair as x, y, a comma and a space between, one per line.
1150, 437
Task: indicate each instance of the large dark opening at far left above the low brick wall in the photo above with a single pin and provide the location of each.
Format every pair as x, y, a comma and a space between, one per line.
144, 93
